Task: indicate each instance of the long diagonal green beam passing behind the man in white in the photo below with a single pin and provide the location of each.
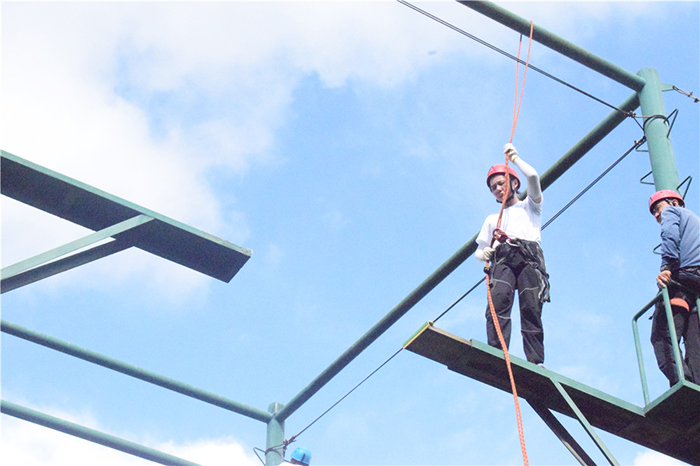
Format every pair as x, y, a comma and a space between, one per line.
551, 175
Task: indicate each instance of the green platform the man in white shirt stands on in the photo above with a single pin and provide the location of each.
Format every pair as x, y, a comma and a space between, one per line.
670, 424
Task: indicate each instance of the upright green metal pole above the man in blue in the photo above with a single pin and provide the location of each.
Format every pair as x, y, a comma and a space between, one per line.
656, 129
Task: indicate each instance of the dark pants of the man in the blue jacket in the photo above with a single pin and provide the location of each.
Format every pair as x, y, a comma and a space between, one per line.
687, 327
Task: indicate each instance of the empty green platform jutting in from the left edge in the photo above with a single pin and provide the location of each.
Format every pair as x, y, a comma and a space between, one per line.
135, 226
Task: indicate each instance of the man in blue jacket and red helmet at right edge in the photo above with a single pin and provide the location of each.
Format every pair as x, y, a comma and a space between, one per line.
680, 262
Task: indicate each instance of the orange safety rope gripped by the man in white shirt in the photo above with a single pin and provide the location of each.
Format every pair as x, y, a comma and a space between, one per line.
499, 235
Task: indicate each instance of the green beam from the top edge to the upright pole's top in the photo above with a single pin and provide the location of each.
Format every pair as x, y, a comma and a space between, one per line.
556, 43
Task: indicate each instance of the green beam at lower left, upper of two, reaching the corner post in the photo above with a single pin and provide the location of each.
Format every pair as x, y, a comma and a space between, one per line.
133, 371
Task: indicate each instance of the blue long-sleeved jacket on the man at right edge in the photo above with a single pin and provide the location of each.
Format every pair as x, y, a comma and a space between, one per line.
680, 239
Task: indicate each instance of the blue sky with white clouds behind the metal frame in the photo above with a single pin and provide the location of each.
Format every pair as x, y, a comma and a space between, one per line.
346, 145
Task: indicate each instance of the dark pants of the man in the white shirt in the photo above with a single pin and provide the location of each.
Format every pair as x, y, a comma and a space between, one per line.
508, 274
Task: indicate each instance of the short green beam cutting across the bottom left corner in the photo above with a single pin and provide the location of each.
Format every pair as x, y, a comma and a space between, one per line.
92, 435
